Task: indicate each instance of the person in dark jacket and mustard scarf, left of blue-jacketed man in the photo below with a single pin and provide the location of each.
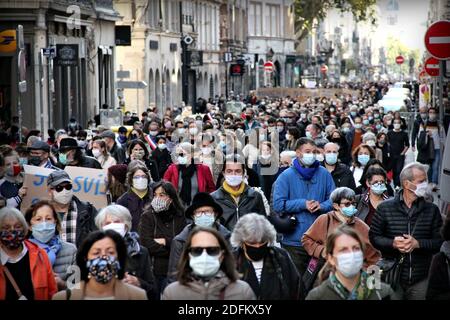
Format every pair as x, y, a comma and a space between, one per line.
235, 196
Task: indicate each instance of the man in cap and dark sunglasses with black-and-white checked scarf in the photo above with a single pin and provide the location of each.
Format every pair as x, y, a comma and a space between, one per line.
77, 217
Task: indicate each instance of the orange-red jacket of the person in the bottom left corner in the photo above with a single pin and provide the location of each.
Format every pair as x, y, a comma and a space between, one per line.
44, 283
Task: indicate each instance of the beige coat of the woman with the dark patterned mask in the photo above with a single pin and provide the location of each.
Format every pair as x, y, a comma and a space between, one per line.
122, 291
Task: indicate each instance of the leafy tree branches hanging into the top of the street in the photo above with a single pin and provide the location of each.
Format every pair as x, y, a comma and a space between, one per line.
307, 12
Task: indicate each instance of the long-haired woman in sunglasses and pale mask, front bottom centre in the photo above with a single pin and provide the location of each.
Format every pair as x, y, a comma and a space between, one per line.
206, 258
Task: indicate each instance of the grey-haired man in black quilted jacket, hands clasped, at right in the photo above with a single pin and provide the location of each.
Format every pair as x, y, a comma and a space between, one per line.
406, 229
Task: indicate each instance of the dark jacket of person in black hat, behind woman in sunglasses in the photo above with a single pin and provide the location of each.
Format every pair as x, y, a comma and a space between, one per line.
178, 244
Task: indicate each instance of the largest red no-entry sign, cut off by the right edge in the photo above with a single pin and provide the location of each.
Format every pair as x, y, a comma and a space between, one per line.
437, 39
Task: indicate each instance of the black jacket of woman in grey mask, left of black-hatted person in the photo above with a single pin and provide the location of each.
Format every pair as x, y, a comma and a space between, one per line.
167, 225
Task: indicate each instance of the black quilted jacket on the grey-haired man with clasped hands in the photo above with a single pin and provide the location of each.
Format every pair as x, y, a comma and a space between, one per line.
392, 220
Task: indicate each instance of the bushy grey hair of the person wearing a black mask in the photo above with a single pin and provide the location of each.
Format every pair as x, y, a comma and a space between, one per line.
253, 228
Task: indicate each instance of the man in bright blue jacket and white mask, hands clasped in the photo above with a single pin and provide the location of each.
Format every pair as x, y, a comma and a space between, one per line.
304, 190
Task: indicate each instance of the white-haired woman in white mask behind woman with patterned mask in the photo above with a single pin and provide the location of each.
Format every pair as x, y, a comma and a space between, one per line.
138, 268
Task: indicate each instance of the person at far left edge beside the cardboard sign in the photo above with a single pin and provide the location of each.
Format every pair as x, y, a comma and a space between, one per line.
11, 184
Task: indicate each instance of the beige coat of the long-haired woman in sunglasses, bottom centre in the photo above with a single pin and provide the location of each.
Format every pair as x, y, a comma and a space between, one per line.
199, 290
